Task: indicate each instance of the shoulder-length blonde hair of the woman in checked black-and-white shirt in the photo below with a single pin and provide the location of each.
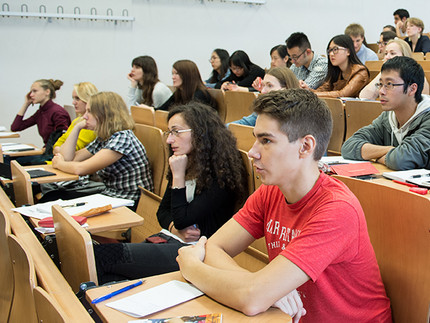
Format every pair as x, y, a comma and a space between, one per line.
111, 114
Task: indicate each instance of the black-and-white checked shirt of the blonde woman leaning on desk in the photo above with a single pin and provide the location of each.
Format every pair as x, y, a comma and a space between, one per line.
122, 178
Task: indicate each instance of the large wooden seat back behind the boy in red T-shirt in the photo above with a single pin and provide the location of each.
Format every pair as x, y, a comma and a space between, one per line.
398, 223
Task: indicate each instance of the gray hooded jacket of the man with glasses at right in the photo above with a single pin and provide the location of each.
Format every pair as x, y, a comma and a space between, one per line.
412, 152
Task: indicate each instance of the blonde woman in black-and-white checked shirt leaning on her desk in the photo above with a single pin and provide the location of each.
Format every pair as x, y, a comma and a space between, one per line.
116, 154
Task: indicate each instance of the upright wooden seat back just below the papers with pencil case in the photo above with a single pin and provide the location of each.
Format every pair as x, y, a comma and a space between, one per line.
75, 249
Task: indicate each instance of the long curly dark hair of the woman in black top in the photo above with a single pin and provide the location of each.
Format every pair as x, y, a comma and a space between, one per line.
214, 155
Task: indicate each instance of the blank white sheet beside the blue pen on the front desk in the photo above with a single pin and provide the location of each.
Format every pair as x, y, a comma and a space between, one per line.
156, 299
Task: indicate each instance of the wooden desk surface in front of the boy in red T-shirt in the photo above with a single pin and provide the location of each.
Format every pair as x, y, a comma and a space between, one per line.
200, 305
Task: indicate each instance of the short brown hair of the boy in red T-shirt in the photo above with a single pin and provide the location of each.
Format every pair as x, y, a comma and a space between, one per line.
299, 113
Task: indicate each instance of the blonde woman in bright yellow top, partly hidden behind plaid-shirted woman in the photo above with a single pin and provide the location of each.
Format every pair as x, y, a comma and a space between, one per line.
81, 95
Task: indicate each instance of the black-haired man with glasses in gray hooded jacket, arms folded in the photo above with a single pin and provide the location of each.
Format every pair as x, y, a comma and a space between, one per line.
400, 136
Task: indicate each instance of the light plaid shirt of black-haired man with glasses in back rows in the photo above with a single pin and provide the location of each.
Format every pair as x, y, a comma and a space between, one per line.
315, 74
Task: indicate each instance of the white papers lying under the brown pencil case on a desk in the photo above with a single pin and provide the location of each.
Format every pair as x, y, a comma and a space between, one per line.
43, 210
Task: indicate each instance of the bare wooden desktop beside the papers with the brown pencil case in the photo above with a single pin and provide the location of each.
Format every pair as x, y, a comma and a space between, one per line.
118, 218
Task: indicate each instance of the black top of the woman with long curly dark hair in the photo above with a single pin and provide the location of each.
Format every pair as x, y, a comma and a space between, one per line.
209, 210
